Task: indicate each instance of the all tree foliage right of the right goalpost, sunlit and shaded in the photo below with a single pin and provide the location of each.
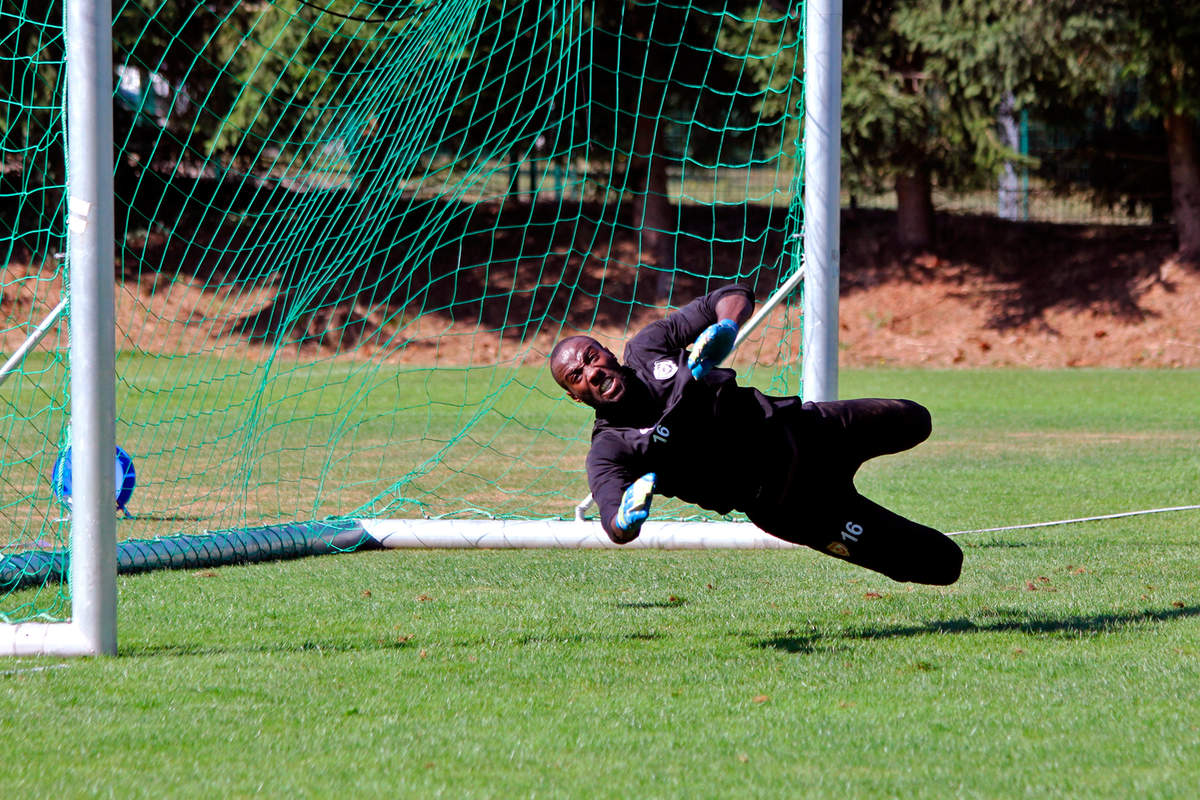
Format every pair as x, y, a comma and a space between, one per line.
923, 82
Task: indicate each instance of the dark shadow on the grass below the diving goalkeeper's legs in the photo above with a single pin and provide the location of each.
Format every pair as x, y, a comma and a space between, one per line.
1029, 625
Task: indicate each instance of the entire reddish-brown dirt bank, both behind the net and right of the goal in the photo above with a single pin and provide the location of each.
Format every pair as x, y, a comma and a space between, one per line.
991, 294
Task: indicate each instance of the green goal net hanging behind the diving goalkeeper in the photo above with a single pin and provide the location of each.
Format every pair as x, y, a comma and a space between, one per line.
349, 233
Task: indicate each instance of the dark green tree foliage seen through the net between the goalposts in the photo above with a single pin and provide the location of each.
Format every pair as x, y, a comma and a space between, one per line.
479, 81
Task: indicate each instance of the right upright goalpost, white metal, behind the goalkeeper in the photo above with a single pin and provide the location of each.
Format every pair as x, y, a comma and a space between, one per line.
823, 197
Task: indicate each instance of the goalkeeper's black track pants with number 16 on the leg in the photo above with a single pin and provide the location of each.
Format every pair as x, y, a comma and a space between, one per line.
821, 509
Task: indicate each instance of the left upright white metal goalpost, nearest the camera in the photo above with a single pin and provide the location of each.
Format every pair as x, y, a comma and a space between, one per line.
91, 236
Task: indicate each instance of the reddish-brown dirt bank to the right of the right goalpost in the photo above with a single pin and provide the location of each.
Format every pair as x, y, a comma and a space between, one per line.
1005, 294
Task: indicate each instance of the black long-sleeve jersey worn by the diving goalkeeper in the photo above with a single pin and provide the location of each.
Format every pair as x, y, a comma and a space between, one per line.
711, 443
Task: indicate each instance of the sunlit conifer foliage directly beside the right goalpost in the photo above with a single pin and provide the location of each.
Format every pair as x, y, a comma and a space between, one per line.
923, 83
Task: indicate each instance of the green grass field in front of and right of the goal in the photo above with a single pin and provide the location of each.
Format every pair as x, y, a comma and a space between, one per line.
1064, 664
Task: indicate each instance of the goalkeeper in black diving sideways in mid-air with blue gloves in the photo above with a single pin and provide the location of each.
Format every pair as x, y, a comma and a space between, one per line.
673, 423
